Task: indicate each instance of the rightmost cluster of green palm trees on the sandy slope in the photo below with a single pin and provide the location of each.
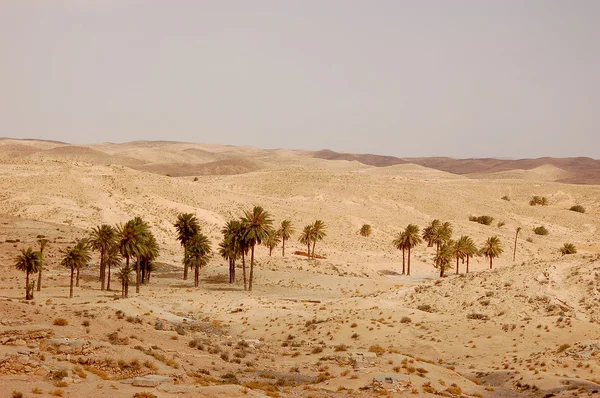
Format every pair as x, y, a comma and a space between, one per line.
447, 249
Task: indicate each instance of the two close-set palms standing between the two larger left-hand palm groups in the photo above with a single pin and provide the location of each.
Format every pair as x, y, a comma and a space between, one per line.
196, 245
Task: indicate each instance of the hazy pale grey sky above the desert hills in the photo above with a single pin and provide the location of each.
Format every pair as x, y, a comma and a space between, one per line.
504, 78
